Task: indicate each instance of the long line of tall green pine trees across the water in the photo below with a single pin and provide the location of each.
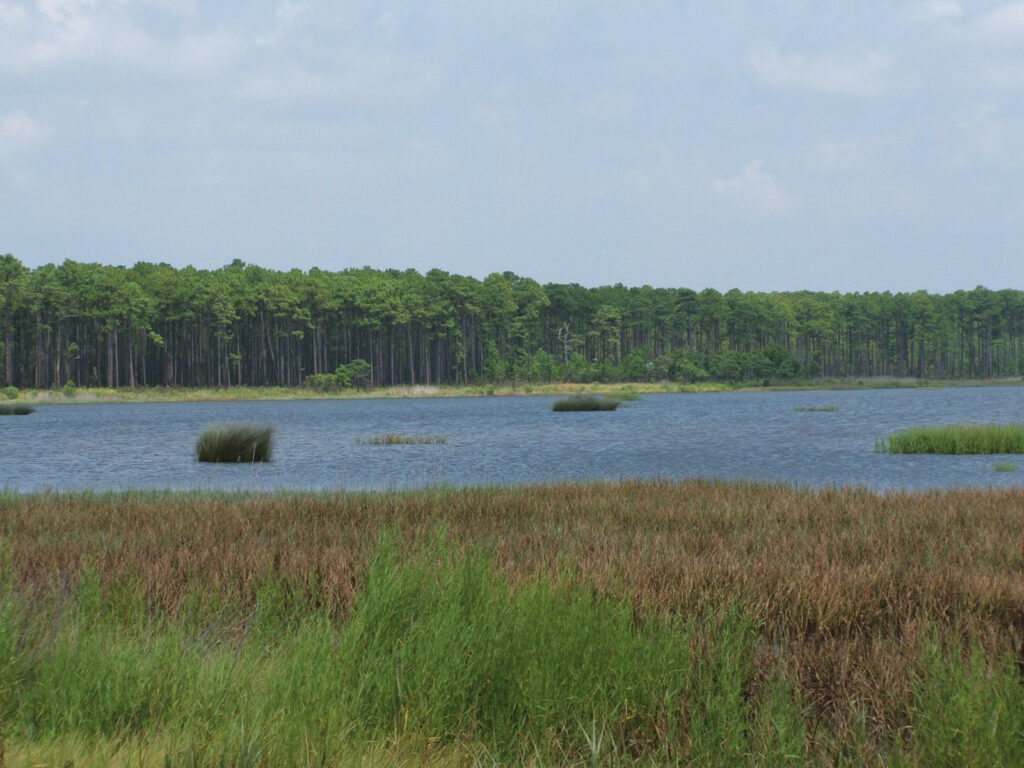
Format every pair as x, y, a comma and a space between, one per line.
242, 325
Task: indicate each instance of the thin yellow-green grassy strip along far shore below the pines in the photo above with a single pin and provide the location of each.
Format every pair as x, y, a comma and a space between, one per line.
204, 395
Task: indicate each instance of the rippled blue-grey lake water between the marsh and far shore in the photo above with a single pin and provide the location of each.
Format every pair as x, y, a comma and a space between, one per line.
510, 441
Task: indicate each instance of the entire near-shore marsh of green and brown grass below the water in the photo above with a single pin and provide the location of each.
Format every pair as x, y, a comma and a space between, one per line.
686, 623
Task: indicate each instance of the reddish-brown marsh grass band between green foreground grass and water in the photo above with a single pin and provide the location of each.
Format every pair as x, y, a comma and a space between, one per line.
845, 583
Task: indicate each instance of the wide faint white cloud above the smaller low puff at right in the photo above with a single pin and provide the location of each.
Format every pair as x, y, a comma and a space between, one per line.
856, 75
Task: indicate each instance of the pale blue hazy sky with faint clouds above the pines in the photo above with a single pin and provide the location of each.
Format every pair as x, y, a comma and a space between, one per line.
798, 145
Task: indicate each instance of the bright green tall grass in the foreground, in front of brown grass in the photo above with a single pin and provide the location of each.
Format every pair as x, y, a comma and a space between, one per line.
445, 657
